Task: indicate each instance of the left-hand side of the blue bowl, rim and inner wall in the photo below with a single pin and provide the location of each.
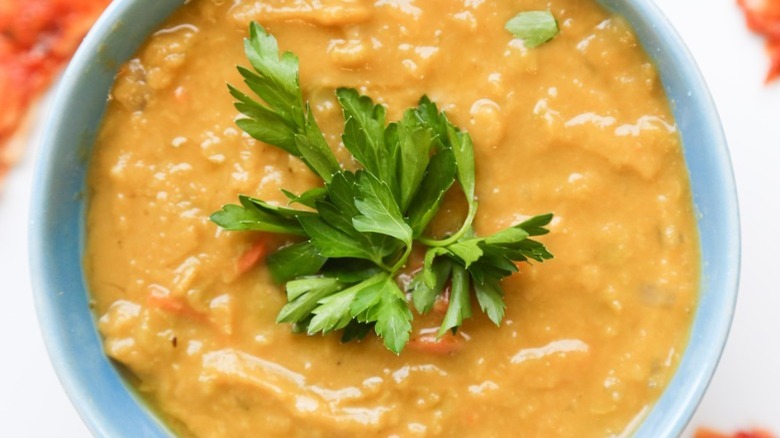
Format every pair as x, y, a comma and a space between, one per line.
82, 387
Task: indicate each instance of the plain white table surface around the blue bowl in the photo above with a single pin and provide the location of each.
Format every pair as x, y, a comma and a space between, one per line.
746, 389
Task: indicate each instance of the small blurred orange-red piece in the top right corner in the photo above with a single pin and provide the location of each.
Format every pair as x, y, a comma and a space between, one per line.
763, 17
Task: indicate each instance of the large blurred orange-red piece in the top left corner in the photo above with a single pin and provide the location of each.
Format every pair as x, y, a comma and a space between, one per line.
37, 37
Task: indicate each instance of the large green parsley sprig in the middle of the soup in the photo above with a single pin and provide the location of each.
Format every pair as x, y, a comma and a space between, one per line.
360, 227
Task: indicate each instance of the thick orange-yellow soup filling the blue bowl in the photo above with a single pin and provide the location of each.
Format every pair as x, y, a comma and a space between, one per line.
579, 126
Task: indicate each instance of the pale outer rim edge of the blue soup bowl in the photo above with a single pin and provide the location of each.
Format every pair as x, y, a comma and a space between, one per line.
675, 409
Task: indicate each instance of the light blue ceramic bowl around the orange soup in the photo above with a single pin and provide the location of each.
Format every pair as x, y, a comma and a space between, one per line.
104, 400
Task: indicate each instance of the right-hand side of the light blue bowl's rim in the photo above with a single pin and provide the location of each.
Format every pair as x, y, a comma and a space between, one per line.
708, 335
